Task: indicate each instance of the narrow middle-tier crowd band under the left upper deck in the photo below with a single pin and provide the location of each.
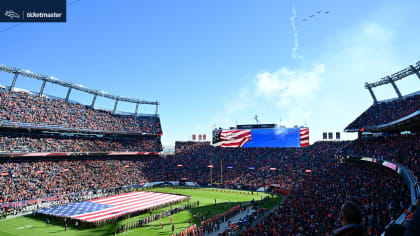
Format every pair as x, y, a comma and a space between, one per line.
31, 144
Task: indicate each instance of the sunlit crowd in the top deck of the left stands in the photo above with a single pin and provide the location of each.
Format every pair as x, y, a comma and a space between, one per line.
38, 110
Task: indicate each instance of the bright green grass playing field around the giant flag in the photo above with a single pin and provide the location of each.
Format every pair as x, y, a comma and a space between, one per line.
29, 226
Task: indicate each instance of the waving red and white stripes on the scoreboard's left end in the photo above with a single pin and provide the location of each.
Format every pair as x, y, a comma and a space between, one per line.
234, 138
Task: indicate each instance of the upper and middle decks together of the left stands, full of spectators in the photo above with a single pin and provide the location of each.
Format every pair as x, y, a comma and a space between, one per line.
21, 111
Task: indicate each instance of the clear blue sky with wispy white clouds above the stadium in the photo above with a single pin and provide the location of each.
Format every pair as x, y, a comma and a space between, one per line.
222, 62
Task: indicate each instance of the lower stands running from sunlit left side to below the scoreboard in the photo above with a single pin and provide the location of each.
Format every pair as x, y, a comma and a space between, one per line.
38, 179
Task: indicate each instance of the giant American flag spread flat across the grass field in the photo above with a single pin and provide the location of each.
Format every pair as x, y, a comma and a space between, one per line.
108, 207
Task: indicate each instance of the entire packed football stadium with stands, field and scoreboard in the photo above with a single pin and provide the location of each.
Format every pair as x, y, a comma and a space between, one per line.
63, 162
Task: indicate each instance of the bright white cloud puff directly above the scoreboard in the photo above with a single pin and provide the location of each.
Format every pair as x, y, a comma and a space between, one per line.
282, 94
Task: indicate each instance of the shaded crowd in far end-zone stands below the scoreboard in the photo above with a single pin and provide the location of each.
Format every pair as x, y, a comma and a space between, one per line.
247, 166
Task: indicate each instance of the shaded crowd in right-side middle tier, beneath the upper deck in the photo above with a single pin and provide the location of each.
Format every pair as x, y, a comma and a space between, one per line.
403, 149
